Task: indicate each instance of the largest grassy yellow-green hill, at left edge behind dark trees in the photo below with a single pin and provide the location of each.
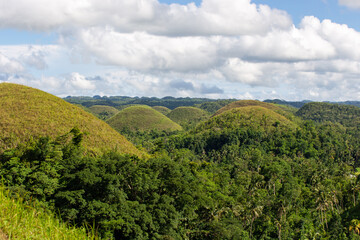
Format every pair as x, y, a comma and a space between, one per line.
26, 113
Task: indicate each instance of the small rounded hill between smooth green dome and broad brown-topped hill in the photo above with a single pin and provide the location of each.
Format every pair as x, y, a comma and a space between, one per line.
188, 115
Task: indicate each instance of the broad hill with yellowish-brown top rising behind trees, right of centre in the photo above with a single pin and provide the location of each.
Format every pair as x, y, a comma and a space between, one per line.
247, 116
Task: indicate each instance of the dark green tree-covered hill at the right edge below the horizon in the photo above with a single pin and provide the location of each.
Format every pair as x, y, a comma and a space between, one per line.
321, 112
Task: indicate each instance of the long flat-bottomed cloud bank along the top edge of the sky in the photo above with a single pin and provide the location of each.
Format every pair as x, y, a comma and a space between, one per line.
212, 17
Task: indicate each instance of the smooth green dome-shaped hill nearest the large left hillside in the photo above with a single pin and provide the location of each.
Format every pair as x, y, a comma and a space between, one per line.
142, 118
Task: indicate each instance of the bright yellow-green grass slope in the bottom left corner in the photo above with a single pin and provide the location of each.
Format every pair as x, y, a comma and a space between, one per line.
21, 221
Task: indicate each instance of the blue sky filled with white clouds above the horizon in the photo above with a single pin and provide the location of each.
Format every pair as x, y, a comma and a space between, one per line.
244, 49
